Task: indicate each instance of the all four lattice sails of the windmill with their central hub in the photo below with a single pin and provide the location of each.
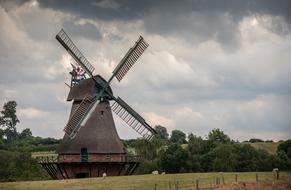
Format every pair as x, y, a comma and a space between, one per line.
120, 107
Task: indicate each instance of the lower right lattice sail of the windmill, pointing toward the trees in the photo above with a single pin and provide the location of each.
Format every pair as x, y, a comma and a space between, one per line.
132, 118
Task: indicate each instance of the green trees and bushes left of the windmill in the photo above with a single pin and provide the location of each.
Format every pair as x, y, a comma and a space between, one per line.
16, 162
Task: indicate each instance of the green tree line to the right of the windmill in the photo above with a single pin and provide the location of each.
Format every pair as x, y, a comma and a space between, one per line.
215, 153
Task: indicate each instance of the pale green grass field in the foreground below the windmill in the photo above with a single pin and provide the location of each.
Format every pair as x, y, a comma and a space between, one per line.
140, 182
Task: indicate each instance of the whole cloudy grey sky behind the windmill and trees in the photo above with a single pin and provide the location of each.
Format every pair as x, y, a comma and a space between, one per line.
210, 64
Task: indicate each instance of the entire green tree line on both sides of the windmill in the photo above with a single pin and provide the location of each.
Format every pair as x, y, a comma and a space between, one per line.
175, 153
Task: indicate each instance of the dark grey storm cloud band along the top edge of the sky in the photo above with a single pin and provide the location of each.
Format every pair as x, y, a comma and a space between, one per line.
130, 9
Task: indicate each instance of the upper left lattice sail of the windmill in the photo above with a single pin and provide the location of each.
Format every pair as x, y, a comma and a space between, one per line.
68, 44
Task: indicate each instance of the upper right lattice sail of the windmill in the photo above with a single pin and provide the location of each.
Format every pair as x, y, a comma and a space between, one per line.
130, 58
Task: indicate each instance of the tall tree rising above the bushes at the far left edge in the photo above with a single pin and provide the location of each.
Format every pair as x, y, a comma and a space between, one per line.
8, 120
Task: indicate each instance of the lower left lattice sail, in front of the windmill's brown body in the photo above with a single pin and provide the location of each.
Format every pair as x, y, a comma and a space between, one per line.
79, 115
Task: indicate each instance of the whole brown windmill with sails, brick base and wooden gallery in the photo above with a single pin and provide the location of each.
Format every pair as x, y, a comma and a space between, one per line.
91, 146
